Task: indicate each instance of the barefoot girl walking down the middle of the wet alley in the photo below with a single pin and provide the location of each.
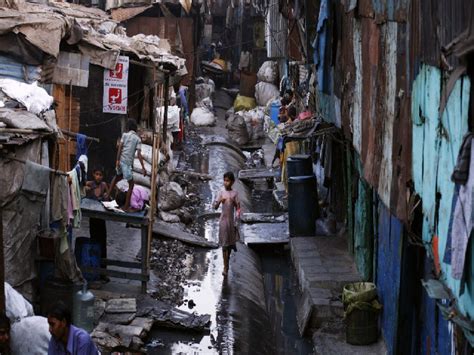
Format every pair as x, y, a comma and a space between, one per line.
228, 233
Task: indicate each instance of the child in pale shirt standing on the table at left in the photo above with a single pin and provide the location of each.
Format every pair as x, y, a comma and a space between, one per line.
129, 143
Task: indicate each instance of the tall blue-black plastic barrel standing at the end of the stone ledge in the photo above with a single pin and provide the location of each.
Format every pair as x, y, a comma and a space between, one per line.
303, 206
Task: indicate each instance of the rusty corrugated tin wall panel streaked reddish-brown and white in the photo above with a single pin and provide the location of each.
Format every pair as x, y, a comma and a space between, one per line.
376, 104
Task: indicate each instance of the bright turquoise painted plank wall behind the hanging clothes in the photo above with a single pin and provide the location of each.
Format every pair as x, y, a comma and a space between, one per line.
436, 142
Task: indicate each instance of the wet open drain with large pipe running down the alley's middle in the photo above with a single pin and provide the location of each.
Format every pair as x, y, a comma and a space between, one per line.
252, 311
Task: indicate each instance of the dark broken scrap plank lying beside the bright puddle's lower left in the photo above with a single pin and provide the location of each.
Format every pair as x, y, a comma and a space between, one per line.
167, 316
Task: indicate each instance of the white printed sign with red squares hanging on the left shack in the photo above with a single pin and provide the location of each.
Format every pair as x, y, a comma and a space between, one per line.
115, 87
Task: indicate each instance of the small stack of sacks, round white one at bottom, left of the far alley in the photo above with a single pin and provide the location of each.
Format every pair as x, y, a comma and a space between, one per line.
203, 114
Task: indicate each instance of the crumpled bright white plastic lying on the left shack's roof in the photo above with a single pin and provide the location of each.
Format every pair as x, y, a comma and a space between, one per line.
33, 97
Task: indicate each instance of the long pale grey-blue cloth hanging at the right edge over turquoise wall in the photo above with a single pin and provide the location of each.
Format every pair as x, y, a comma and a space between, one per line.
462, 222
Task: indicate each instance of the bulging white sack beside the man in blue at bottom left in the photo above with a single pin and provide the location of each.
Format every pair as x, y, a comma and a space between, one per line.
30, 336
